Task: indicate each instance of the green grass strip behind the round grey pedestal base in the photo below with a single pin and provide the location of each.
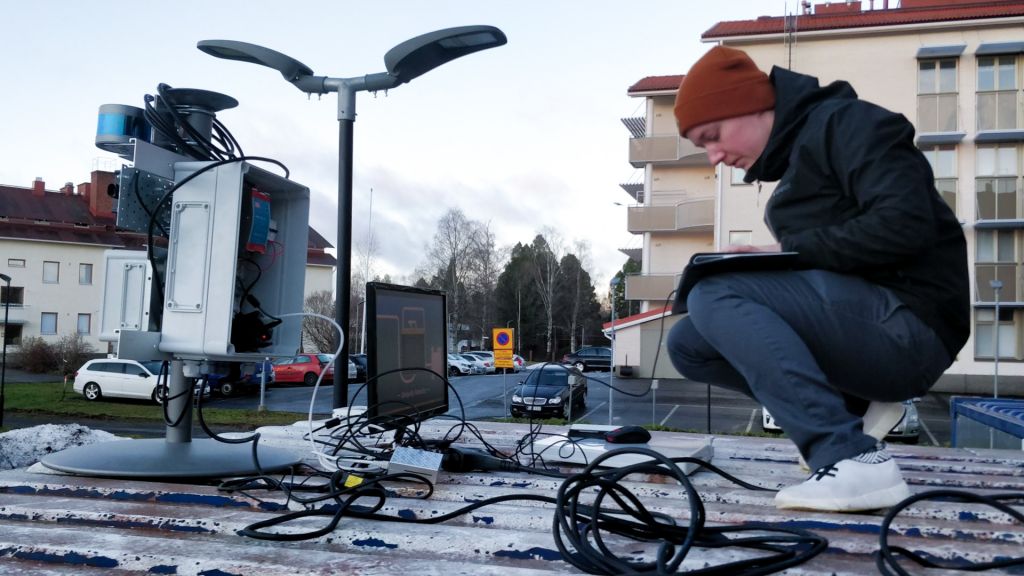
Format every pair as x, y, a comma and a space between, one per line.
53, 398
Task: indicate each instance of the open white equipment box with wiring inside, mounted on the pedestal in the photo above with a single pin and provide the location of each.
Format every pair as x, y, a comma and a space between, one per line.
208, 267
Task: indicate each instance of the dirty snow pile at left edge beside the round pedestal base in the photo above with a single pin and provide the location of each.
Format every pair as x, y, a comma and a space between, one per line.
24, 447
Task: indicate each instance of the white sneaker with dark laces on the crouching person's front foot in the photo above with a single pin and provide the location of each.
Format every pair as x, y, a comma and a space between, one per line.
867, 482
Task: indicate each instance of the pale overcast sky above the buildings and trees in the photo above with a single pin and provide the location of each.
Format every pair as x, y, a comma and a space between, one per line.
523, 137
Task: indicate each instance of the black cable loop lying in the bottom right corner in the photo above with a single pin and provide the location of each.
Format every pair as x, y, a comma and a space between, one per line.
886, 559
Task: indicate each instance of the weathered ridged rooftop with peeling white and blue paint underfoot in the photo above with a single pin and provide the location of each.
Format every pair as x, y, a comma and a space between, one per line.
59, 524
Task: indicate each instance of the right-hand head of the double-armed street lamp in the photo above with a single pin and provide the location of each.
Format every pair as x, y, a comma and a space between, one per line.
423, 54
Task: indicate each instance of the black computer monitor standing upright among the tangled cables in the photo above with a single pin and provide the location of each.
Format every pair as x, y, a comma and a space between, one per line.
406, 330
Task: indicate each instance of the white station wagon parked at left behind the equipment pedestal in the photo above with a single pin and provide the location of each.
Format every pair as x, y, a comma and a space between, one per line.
114, 378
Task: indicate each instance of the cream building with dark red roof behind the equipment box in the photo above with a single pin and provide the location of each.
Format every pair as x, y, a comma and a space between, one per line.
53, 245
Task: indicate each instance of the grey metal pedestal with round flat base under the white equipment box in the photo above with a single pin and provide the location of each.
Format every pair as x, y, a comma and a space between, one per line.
177, 456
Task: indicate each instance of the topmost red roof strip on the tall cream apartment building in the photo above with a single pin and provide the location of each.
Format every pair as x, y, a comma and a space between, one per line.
920, 13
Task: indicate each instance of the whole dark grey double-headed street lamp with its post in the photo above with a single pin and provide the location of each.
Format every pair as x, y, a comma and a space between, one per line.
403, 63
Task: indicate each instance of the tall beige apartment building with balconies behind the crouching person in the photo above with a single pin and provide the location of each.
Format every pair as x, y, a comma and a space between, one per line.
955, 68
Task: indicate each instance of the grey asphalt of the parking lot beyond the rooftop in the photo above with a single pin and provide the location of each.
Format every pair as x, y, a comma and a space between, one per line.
677, 404
